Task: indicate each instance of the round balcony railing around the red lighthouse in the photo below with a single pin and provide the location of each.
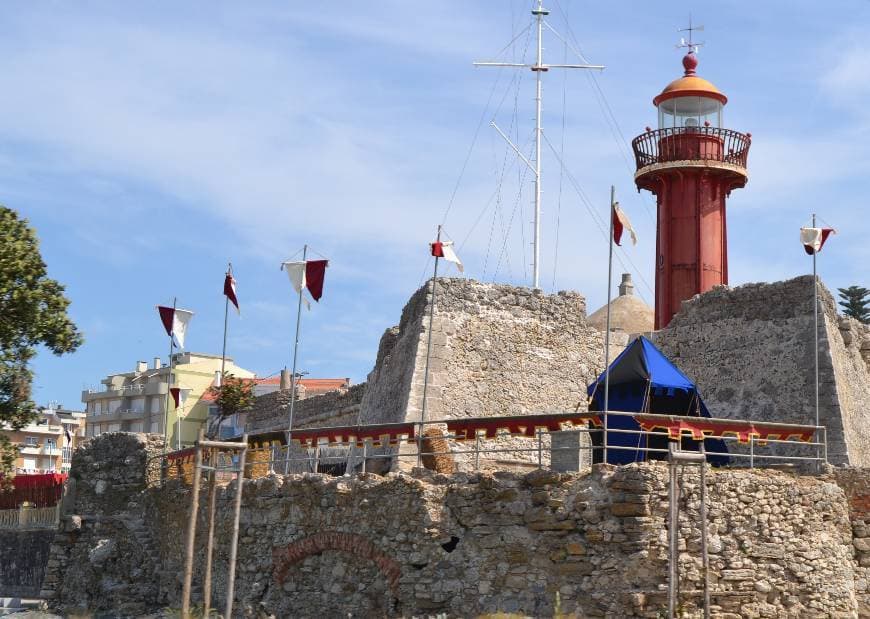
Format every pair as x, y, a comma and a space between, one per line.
691, 143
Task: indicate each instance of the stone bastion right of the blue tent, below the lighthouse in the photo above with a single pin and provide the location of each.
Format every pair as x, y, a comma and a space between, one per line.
751, 348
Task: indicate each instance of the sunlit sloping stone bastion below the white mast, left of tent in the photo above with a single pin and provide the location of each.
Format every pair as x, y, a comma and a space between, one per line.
496, 350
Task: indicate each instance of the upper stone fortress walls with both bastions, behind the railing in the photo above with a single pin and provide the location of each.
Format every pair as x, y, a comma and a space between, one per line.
504, 350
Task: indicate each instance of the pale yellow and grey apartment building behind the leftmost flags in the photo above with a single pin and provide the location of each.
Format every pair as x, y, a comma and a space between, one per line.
137, 401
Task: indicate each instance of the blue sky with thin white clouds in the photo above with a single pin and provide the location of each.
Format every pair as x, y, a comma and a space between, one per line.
150, 143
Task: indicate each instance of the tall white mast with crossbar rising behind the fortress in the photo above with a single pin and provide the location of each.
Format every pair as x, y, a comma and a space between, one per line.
539, 67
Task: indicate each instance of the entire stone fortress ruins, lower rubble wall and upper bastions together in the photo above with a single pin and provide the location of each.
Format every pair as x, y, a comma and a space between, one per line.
512, 537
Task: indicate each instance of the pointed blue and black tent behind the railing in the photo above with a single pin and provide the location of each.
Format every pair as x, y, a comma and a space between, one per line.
643, 380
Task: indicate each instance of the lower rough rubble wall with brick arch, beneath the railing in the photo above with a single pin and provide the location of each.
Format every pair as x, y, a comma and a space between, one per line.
468, 544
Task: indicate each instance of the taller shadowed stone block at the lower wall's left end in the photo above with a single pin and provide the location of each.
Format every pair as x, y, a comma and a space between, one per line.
105, 549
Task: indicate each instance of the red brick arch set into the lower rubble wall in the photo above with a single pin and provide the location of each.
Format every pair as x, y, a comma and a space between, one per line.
356, 545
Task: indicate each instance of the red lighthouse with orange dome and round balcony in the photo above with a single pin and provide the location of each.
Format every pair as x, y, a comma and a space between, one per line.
691, 163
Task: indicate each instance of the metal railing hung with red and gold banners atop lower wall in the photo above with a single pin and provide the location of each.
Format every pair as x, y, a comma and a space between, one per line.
470, 444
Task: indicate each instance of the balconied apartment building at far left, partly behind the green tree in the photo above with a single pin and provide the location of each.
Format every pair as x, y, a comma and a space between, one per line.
46, 444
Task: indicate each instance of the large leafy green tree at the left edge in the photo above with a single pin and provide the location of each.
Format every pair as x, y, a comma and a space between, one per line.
33, 312
